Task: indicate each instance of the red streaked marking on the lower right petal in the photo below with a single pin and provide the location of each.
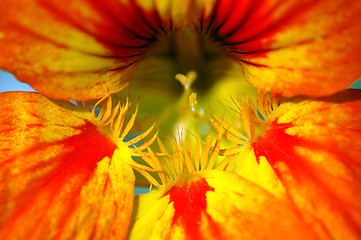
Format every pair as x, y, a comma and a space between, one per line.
277, 146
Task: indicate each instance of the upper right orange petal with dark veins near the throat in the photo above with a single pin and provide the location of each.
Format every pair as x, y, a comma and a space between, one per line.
292, 47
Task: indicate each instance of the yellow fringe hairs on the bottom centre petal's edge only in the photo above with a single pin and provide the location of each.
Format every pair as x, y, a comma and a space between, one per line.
183, 164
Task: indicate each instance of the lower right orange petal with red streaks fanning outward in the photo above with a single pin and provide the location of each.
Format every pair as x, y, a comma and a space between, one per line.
315, 149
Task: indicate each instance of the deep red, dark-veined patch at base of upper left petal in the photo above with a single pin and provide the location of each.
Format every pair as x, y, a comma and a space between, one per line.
126, 28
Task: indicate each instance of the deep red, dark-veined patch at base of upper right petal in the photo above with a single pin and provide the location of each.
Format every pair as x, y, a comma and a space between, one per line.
244, 26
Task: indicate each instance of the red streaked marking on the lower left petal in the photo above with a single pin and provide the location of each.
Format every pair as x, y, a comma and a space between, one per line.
87, 149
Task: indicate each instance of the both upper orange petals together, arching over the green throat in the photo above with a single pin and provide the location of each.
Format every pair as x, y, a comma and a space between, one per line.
86, 49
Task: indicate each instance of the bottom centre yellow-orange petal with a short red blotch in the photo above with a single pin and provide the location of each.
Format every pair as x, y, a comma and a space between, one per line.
222, 205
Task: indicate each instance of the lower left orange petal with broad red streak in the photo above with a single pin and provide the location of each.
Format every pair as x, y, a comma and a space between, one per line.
59, 176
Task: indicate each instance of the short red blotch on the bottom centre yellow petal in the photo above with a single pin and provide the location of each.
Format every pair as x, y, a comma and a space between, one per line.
190, 202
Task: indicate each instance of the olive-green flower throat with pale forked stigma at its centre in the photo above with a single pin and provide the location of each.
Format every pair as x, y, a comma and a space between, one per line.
165, 98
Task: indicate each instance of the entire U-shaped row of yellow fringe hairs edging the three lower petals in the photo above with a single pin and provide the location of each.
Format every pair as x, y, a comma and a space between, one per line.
183, 163
